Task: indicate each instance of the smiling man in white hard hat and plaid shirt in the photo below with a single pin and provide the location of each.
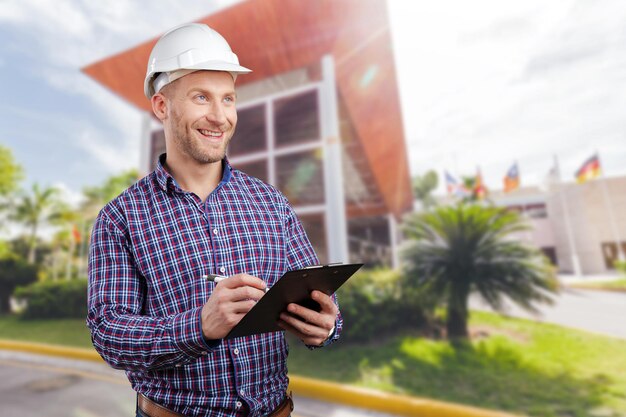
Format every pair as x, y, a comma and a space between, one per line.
151, 312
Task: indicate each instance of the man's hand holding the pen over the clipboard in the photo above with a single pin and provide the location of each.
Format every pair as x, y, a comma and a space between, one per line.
231, 299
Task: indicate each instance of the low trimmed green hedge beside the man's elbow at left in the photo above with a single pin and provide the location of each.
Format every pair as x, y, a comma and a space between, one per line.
54, 299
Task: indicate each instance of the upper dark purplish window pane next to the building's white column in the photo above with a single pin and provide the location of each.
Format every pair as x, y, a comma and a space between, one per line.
296, 119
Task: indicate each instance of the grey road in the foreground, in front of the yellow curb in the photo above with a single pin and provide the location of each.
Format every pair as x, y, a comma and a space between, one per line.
36, 386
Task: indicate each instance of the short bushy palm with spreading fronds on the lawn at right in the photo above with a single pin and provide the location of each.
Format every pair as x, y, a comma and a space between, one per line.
469, 248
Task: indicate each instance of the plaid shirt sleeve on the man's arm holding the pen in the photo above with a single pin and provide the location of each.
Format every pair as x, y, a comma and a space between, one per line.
120, 332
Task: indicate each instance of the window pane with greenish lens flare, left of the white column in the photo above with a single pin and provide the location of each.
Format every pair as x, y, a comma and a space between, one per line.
301, 178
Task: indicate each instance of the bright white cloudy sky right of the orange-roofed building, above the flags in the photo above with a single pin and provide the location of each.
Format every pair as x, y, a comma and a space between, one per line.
523, 82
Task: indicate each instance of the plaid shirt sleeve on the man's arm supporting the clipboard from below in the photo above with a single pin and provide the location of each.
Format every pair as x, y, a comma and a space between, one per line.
300, 254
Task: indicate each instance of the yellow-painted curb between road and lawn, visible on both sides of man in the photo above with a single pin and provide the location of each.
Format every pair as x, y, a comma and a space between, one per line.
306, 387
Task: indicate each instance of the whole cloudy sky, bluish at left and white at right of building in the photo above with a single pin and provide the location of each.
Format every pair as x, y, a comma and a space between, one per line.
482, 84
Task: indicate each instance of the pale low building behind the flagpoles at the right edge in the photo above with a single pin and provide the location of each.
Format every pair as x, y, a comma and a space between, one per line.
574, 223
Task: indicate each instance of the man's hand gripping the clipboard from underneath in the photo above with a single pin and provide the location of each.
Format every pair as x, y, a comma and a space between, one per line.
311, 327
